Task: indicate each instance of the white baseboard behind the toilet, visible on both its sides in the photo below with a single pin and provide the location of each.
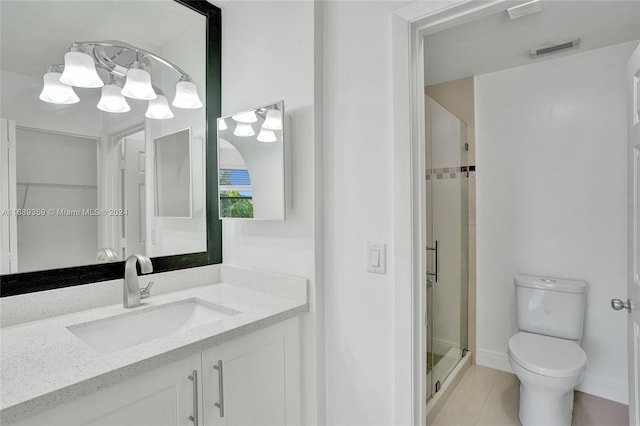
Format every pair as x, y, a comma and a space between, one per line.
591, 385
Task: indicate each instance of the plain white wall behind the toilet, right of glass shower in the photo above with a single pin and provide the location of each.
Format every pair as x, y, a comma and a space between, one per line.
551, 199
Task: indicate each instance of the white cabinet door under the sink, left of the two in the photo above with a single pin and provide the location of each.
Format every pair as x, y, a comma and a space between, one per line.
162, 397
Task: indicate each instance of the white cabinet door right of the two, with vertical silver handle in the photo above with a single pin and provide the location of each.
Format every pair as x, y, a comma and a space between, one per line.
255, 379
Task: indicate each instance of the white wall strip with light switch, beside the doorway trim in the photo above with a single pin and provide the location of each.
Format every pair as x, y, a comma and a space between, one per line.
358, 207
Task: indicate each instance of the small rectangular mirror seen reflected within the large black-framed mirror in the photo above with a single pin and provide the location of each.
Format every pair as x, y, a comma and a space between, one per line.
173, 174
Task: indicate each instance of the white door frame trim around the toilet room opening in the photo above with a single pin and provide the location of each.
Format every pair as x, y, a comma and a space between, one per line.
410, 24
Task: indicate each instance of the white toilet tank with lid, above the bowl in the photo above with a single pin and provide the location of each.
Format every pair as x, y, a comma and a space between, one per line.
550, 306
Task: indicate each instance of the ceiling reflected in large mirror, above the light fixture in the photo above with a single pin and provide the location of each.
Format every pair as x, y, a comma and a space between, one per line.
36, 34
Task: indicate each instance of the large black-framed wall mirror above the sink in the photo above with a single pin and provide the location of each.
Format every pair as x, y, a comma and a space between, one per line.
106, 150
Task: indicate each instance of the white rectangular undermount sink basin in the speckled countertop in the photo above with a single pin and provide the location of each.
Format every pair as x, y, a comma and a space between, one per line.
129, 329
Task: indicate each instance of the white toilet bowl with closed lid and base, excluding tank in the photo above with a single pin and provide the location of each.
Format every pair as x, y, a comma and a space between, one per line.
549, 368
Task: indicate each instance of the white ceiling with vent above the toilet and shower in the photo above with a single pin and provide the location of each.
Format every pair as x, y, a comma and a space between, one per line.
495, 42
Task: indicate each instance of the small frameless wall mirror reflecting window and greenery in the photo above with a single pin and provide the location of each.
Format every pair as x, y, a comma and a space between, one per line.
251, 164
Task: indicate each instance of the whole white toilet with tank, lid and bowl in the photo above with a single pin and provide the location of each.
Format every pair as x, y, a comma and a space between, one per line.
545, 354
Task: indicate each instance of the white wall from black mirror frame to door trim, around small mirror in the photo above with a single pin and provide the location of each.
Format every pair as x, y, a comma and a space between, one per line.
270, 52
